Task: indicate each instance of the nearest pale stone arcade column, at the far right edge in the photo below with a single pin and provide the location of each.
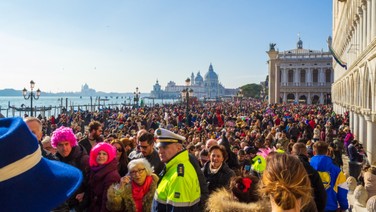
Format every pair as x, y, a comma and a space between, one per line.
371, 135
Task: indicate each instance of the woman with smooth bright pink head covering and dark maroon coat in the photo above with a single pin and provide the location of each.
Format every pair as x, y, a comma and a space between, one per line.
104, 173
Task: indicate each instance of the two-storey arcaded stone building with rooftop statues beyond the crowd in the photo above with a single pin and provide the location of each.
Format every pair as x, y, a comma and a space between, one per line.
299, 75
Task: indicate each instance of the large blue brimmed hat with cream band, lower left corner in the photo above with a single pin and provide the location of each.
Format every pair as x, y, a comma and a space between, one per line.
29, 182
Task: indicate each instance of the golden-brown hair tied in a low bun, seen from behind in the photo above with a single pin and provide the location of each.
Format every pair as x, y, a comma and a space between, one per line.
285, 181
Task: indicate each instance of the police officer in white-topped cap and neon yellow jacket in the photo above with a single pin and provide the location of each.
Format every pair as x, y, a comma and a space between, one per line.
179, 187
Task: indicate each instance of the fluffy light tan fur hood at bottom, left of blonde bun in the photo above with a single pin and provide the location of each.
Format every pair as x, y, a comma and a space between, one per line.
222, 200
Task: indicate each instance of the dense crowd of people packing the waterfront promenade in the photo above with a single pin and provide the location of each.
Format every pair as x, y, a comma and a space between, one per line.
223, 156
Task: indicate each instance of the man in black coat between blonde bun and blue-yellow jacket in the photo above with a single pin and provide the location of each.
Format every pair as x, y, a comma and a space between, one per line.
319, 193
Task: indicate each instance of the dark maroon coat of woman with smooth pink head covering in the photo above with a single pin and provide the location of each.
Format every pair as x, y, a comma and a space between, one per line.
99, 183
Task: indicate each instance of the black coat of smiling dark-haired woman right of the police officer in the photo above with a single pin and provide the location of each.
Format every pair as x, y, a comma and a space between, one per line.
219, 179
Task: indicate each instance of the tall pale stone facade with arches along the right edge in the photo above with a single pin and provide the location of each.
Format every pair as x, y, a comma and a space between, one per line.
354, 42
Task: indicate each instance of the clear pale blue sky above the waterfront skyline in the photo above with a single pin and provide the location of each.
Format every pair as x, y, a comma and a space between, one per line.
120, 45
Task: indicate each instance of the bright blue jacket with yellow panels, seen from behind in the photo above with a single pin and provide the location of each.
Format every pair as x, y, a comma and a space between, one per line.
334, 181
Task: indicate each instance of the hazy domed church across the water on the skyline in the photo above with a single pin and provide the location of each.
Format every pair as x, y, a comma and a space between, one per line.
207, 87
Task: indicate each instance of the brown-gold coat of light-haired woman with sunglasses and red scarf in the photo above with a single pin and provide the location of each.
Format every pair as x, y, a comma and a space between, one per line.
122, 199
